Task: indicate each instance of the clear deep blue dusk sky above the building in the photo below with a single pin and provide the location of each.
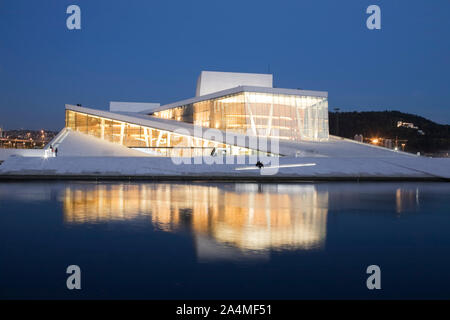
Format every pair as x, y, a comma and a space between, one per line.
153, 51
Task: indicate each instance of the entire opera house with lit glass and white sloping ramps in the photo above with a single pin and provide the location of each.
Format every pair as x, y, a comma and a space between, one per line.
237, 116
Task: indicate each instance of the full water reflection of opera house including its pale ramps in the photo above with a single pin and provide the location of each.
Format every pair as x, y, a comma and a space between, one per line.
228, 220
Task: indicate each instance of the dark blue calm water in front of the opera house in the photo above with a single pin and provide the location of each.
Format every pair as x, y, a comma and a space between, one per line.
225, 240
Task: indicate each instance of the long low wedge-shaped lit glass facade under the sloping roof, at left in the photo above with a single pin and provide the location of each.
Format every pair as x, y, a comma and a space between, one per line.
151, 140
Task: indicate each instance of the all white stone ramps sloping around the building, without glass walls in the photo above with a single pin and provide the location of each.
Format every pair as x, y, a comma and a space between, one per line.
83, 155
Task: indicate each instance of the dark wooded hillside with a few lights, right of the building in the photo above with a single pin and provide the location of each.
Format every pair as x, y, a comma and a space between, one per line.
383, 124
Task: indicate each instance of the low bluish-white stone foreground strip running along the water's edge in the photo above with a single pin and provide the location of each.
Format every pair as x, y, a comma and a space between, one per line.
153, 167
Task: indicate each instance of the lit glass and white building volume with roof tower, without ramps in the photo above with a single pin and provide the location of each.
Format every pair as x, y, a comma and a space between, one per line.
239, 105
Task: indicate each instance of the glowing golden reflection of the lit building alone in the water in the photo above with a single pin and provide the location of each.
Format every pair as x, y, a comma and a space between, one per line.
247, 217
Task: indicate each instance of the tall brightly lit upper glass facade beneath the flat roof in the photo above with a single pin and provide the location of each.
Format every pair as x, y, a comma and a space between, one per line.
287, 117
